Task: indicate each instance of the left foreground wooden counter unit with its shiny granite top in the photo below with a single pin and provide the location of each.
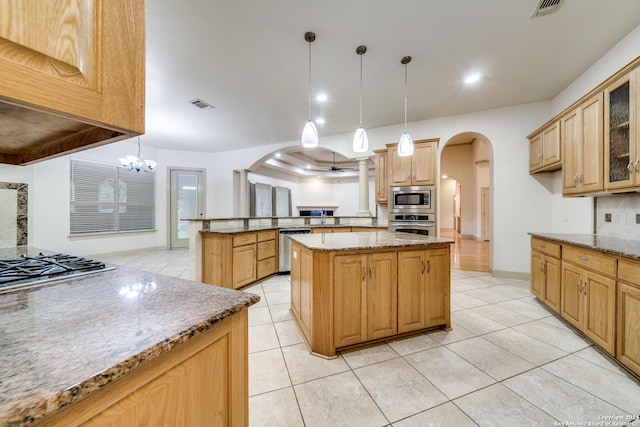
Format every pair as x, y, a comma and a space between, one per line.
126, 346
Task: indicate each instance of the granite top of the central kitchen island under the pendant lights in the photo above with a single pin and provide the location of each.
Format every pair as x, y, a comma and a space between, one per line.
365, 240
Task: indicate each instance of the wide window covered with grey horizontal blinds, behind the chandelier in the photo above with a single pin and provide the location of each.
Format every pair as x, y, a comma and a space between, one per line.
107, 198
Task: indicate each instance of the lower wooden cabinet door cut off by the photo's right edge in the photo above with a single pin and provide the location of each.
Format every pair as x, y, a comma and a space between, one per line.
628, 327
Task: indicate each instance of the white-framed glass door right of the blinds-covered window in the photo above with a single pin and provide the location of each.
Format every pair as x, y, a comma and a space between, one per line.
186, 200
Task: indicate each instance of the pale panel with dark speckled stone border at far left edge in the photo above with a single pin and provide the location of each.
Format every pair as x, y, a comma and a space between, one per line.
13, 214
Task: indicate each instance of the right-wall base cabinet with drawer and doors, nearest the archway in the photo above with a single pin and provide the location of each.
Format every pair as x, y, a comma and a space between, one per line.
546, 274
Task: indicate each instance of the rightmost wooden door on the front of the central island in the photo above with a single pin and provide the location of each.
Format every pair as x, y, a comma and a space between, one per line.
437, 287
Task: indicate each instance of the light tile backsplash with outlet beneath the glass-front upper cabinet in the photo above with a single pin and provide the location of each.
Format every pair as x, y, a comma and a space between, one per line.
618, 216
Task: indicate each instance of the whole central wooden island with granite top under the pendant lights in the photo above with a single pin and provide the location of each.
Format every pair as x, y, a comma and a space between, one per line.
348, 289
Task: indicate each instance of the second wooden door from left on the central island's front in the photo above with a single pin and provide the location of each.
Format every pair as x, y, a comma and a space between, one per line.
382, 295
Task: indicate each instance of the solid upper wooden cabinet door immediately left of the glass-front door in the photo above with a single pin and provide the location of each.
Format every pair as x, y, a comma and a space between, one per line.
591, 140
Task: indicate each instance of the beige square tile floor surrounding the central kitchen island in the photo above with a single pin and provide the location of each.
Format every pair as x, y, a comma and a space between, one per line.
507, 362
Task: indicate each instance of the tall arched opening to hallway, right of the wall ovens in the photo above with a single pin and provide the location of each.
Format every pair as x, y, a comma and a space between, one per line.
465, 199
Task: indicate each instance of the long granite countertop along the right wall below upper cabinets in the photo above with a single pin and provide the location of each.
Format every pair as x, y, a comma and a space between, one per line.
611, 245
